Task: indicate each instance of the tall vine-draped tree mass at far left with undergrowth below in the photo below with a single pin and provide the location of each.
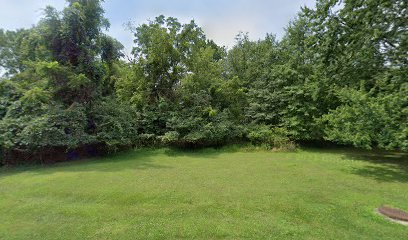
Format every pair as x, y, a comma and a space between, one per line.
56, 74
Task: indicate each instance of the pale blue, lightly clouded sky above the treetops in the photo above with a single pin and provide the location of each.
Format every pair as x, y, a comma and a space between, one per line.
221, 20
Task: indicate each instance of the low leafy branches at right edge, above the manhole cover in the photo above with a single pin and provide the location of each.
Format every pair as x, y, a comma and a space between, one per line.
367, 121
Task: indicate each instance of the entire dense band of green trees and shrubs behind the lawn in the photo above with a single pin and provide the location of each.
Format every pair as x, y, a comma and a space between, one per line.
339, 74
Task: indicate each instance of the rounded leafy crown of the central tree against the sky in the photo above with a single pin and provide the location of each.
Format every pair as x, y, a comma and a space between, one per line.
168, 51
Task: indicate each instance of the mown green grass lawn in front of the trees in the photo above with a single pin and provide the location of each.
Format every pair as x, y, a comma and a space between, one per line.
207, 194
